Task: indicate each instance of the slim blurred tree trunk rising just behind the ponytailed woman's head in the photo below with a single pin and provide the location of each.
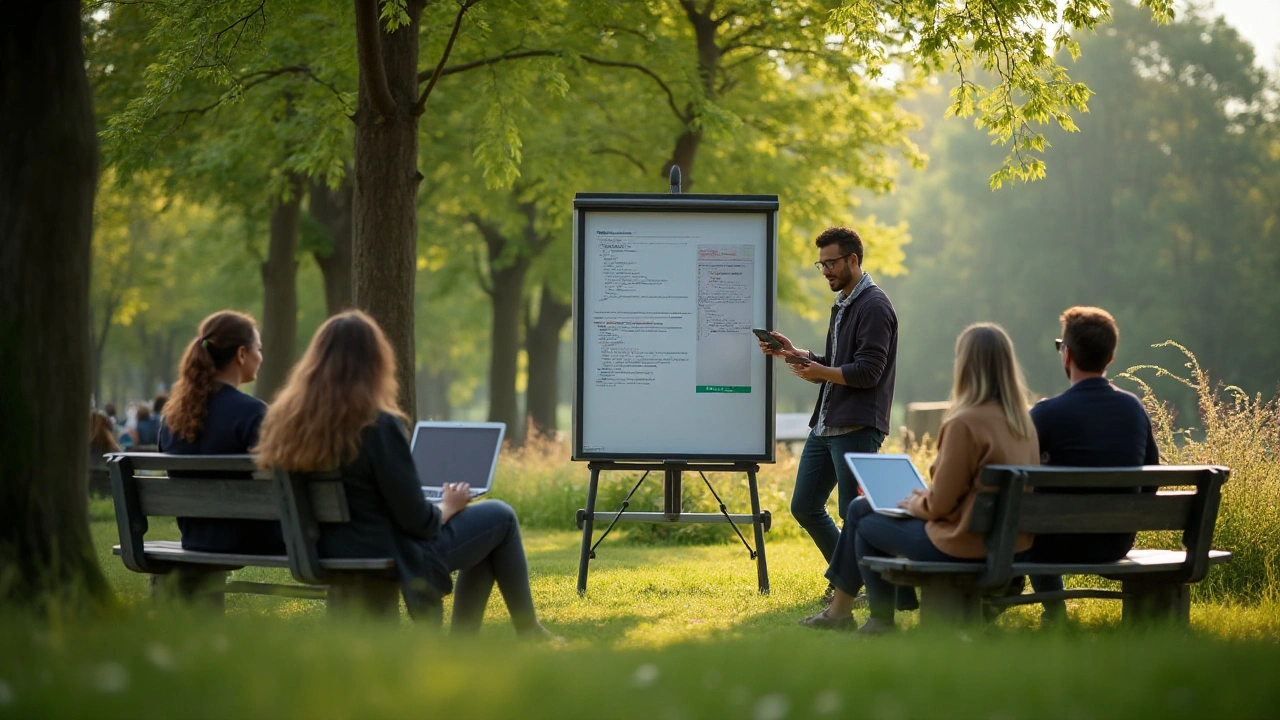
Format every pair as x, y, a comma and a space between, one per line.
281, 294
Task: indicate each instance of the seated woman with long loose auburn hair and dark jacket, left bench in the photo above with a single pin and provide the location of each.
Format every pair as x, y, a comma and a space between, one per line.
339, 412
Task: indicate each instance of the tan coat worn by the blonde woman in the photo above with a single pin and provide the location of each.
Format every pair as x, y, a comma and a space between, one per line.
968, 443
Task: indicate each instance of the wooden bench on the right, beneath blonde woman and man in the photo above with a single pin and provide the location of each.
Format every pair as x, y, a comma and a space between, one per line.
1155, 585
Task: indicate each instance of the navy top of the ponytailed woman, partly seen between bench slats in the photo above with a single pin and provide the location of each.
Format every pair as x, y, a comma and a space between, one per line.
231, 429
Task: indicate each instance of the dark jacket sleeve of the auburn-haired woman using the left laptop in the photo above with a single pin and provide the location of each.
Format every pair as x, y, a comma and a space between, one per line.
397, 480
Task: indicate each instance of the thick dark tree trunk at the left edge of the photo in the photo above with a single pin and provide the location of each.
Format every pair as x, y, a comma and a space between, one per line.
48, 177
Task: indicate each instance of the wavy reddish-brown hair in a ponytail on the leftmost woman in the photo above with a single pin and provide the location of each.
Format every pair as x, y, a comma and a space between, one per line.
222, 335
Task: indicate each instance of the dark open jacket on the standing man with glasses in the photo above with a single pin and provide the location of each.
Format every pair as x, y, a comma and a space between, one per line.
867, 356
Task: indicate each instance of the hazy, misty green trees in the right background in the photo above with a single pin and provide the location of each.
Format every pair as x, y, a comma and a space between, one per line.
1159, 213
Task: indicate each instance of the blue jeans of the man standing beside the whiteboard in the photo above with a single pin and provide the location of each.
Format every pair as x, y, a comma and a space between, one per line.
822, 470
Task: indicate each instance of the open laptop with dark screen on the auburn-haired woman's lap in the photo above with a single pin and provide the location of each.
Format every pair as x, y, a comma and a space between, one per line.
456, 453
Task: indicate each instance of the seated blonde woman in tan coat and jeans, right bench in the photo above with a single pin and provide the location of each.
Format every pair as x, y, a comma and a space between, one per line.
988, 425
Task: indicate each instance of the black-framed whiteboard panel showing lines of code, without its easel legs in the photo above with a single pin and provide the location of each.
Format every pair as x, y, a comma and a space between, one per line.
668, 289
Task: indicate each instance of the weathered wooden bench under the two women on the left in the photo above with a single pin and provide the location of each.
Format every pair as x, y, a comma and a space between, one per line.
300, 503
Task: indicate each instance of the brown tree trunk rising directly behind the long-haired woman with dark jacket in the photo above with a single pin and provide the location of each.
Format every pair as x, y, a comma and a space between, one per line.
385, 250
